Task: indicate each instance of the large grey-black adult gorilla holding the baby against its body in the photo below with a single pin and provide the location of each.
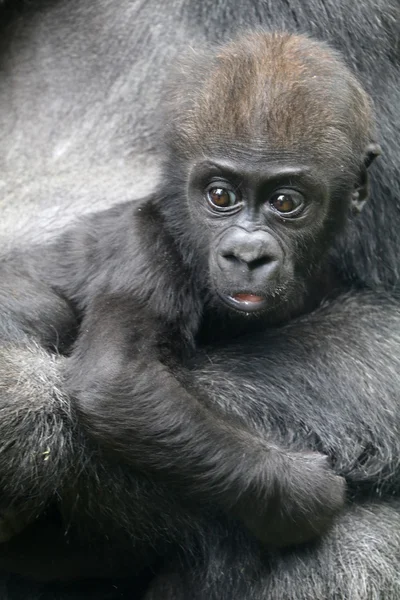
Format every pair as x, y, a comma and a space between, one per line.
81, 87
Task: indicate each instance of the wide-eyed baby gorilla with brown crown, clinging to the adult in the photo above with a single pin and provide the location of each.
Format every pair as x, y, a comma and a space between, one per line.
268, 144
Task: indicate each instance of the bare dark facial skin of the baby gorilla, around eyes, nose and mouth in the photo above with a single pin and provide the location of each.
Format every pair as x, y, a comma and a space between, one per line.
257, 215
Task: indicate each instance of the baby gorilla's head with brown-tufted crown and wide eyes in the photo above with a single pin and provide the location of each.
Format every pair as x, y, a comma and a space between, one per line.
268, 148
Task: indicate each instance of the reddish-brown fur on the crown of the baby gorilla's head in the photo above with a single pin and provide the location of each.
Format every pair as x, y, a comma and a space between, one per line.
271, 92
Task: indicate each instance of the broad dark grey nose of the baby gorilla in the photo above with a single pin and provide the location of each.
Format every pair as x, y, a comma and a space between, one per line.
252, 250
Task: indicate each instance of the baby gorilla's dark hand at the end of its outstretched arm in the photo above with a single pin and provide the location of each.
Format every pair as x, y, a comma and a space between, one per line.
302, 499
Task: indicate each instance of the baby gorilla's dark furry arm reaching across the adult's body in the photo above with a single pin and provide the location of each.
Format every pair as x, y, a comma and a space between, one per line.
134, 405
